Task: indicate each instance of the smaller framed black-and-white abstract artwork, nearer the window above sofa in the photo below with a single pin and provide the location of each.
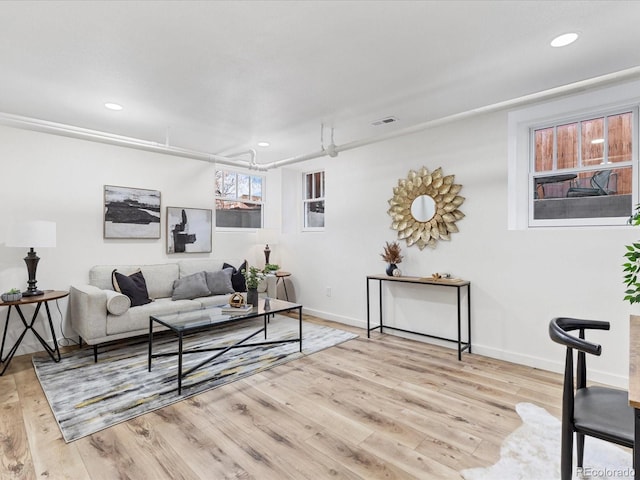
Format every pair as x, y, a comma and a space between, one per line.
189, 230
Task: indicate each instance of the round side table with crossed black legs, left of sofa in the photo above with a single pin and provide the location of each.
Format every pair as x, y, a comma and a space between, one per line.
39, 300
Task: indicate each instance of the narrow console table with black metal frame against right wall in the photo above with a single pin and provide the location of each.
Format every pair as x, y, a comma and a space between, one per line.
427, 282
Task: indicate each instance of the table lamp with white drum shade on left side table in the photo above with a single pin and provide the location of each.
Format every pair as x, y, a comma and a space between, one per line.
30, 234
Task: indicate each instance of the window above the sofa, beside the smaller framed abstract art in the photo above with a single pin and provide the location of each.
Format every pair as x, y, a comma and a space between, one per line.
239, 200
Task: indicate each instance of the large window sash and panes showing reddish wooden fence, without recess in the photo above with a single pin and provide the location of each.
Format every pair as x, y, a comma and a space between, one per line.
582, 169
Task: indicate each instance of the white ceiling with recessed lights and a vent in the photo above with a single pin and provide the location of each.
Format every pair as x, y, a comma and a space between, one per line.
218, 77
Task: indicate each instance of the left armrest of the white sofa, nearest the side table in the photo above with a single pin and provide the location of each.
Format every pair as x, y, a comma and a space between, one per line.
88, 311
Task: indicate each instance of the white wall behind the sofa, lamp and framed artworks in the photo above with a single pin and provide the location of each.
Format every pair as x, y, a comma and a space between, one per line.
61, 179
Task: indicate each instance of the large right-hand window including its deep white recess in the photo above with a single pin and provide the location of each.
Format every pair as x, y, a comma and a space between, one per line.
573, 160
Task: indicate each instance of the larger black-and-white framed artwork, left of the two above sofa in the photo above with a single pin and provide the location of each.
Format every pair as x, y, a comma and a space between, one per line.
131, 212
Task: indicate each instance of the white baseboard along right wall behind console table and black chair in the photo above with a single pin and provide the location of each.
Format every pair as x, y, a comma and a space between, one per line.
506, 355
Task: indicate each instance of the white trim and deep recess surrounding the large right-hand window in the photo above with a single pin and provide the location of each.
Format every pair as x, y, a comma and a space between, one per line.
521, 121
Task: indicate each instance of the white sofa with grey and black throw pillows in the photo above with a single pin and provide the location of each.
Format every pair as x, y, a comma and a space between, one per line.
98, 314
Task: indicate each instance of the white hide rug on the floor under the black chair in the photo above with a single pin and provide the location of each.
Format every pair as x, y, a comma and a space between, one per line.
532, 451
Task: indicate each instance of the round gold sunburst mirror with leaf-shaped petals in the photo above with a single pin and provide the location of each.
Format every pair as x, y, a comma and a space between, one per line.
424, 207
